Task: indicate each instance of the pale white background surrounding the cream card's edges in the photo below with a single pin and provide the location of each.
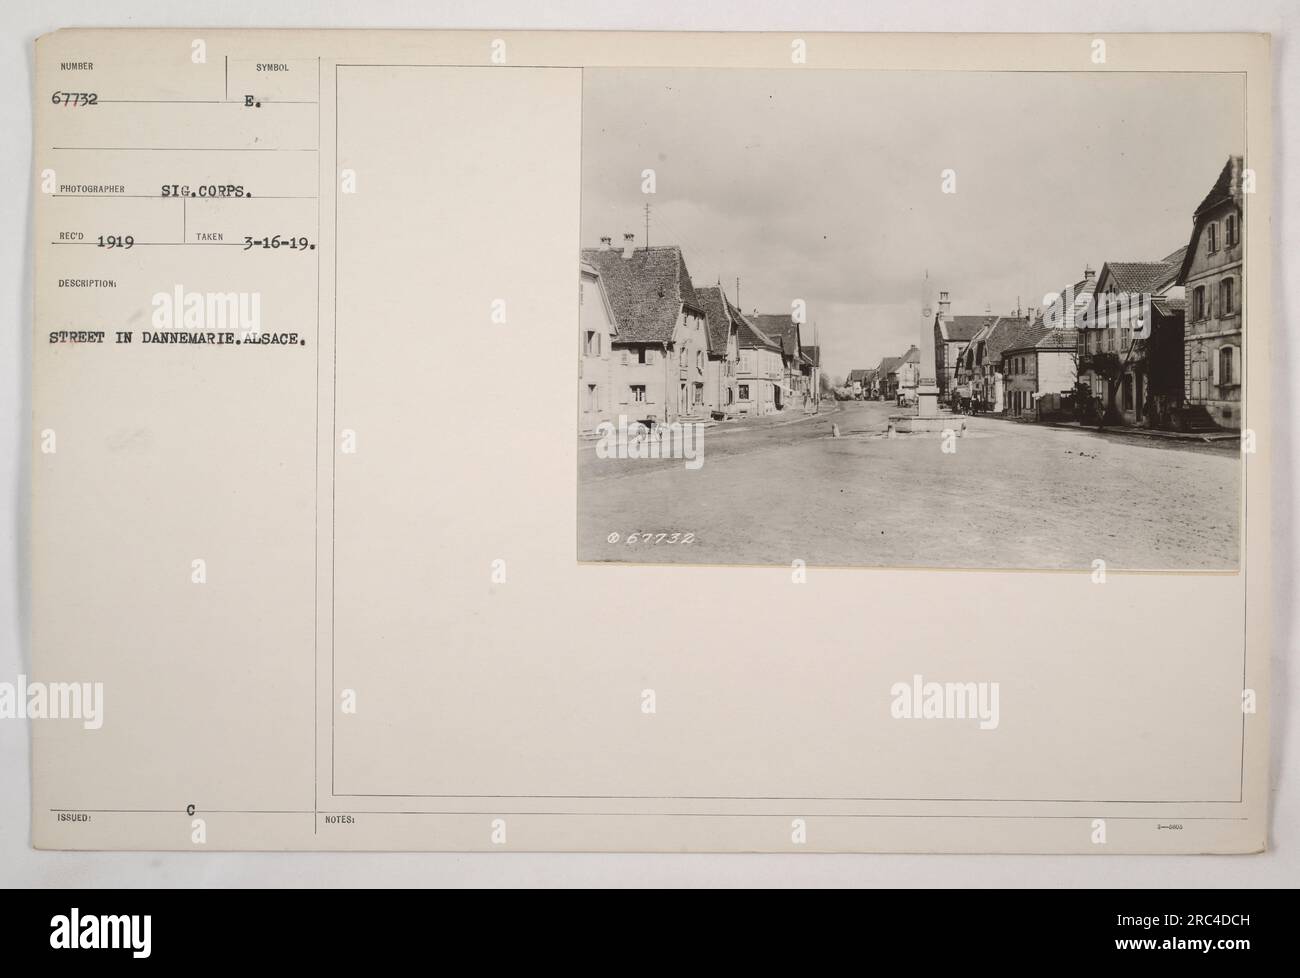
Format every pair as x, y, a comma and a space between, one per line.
20, 866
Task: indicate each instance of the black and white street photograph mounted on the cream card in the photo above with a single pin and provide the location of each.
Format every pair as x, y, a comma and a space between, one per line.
913, 319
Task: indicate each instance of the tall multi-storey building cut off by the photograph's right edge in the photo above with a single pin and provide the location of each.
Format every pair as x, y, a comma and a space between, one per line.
1212, 275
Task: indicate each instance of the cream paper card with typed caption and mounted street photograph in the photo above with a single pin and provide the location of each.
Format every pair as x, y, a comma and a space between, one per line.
327, 523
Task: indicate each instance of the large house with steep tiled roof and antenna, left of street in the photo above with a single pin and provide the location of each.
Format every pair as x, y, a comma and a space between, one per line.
661, 353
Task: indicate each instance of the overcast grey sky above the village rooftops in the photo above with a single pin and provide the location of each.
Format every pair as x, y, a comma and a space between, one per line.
826, 185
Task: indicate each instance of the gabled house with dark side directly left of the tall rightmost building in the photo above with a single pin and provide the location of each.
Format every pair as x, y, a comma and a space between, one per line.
1130, 341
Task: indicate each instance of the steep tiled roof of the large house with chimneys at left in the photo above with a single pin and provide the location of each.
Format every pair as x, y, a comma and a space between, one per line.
648, 291
